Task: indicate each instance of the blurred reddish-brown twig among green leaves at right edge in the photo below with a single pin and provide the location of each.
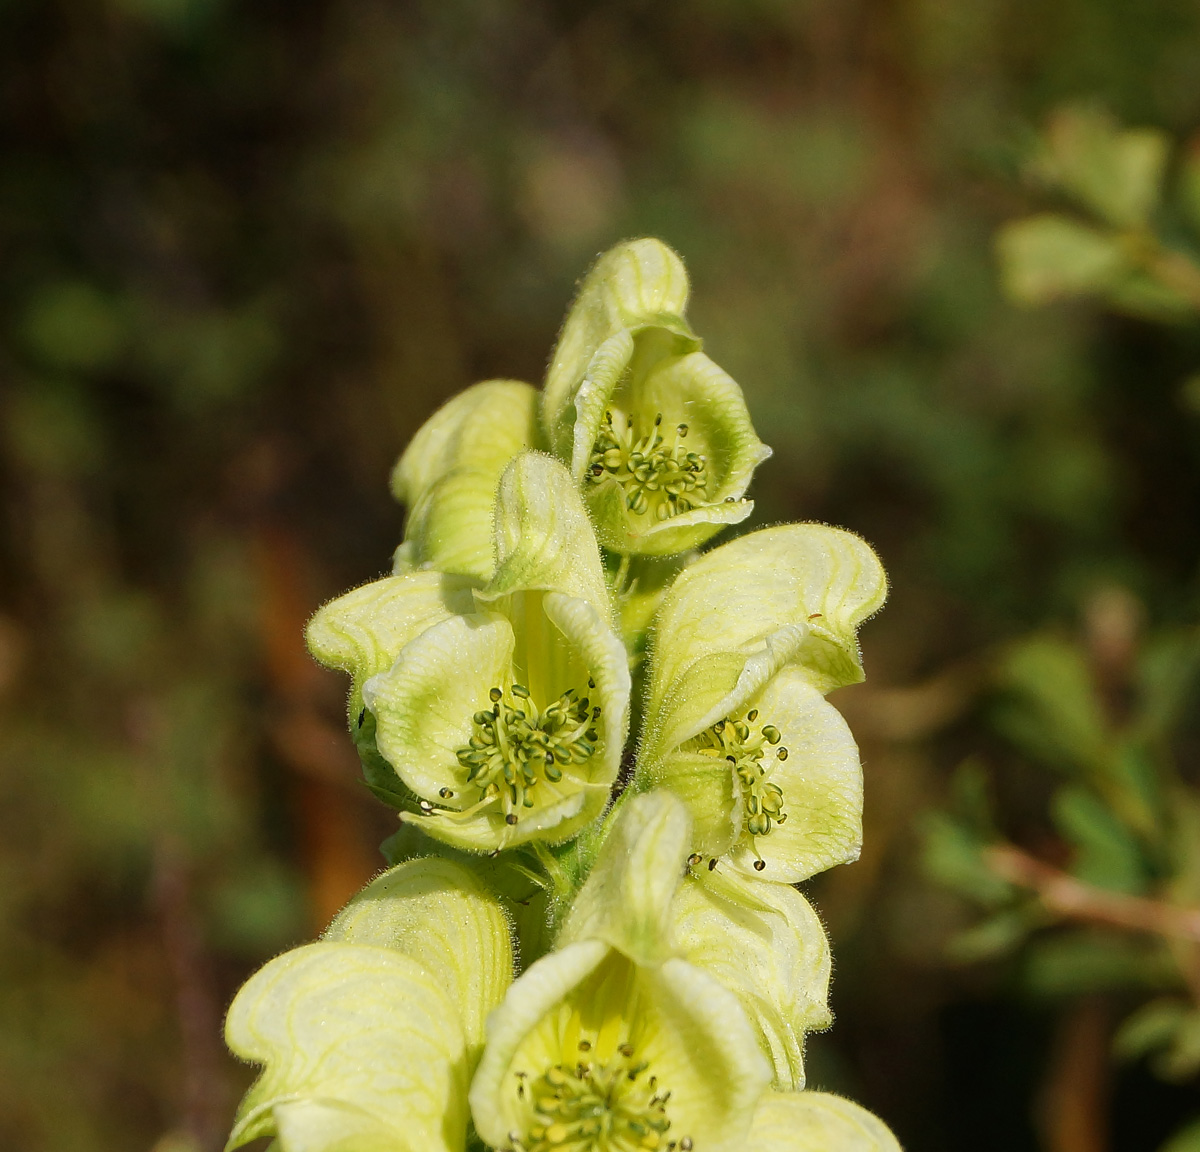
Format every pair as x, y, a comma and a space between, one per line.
1076, 901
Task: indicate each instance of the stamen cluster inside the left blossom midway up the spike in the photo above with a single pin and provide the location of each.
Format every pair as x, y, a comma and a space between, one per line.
517, 748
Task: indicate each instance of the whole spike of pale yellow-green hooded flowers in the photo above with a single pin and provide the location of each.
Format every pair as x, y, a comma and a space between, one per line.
613, 759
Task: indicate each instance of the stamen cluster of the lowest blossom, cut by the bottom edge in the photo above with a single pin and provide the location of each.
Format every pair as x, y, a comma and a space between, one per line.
598, 1108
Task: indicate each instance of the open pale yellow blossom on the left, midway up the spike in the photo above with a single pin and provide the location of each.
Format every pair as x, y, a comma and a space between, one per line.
505, 717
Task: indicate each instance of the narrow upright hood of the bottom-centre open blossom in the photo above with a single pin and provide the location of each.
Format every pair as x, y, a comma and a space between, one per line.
627, 899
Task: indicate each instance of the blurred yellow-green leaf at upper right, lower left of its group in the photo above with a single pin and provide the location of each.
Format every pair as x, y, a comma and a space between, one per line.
1052, 257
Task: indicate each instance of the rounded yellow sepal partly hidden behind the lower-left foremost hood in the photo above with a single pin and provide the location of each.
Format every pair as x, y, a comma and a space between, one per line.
437, 913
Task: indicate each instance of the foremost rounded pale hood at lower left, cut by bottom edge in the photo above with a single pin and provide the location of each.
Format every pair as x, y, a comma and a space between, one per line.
365, 1040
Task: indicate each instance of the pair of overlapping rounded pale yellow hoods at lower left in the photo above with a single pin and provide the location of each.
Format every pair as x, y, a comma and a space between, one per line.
369, 1039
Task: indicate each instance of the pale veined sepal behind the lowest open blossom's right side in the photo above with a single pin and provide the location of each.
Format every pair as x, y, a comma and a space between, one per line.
766, 945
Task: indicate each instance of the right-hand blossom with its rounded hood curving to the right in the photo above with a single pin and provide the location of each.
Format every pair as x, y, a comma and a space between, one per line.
746, 645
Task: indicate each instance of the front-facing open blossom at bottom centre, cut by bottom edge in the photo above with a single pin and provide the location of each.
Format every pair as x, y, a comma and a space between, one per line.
614, 1043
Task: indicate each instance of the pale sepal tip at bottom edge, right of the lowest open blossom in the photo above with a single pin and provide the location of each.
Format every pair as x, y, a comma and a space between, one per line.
817, 1123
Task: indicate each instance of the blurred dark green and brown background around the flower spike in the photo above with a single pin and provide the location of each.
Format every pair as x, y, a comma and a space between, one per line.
247, 249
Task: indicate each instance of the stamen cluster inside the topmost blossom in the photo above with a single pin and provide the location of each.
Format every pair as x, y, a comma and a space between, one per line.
653, 475
